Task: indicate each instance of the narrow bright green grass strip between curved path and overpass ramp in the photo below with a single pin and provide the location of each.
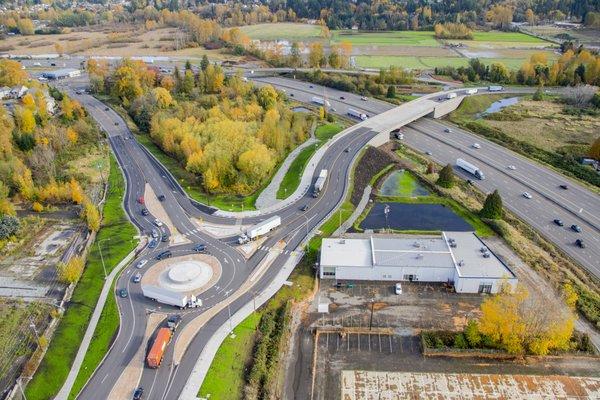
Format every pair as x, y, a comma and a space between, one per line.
291, 179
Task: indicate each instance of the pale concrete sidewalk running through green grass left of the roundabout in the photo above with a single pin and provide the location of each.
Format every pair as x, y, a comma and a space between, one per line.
64, 392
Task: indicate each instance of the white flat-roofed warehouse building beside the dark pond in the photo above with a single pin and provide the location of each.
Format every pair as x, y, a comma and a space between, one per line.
460, 258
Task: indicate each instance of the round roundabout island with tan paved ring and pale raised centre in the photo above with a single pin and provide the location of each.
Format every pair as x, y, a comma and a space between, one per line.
191, 274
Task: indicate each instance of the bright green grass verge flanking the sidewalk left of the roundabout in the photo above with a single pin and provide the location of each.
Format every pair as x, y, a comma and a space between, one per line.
116, 239
